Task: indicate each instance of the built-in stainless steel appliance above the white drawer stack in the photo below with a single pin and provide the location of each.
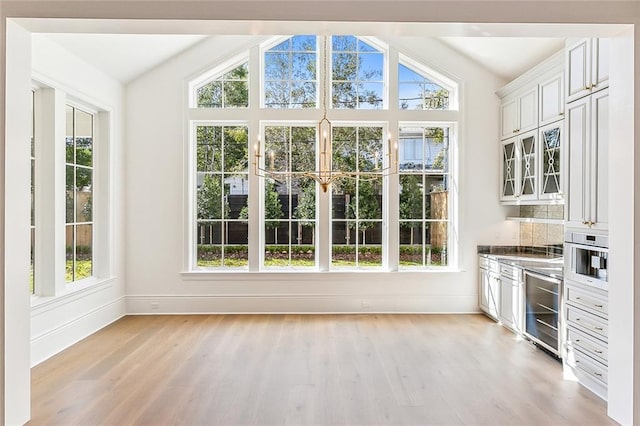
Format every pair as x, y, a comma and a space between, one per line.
586, 259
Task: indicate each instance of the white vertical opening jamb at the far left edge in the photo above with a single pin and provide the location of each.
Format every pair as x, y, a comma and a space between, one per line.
16, 213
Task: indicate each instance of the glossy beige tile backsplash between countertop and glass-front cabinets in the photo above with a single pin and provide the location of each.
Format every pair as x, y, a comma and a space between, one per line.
541, 234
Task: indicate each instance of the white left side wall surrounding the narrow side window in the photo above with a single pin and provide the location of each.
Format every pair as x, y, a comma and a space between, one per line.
57, 323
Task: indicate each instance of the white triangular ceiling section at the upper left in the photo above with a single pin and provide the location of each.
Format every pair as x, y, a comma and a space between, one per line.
125, 56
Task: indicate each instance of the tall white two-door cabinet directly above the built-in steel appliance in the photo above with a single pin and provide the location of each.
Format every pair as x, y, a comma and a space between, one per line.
587, 152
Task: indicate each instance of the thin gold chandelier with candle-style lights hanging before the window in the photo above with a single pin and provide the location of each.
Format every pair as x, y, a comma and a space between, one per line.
325, 175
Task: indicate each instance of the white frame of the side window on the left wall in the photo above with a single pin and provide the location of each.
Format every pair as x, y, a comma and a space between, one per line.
51, 102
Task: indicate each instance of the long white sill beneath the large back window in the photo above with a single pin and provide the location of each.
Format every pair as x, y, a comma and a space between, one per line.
314, 275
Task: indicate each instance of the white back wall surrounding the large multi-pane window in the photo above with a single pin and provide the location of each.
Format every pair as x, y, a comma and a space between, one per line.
155, 195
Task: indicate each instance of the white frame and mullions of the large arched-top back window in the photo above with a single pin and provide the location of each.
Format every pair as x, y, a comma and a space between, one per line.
256, 117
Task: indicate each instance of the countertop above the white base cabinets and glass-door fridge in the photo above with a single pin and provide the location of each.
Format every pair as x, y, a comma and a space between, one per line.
546, 263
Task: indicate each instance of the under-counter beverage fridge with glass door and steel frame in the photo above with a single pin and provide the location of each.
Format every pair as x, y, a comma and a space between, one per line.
543, 298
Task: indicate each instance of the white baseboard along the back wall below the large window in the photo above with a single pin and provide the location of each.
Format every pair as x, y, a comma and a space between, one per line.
300, 303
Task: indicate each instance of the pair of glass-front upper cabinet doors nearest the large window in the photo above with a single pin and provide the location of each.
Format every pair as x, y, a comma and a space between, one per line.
520, 171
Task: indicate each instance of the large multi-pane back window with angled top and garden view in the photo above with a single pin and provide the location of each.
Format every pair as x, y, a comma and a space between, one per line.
257, 155
